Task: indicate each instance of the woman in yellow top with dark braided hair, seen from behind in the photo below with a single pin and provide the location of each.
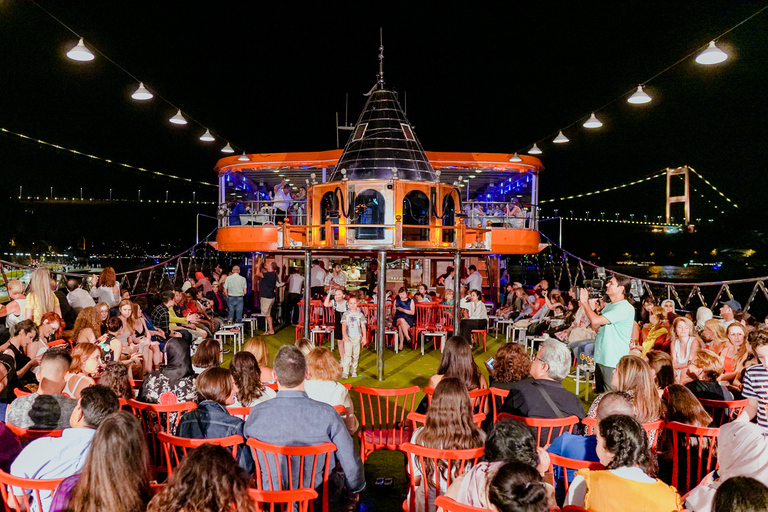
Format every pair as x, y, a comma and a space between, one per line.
625, 485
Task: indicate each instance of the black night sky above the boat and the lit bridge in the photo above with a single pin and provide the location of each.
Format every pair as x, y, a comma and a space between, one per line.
267, 77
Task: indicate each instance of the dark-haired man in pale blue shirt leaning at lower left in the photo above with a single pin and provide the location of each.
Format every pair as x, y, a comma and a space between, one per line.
59, 457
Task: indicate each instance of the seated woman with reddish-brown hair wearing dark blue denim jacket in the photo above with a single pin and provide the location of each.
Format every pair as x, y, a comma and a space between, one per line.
211, 419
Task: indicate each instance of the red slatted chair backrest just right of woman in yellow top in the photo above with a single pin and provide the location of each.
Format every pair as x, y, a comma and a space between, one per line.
694, 453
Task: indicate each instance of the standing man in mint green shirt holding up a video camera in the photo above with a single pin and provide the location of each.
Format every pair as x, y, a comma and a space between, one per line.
614, 331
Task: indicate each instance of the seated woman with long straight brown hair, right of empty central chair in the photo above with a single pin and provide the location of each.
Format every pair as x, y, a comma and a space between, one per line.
448, 426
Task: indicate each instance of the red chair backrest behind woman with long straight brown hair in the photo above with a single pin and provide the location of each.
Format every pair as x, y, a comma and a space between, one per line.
438, 469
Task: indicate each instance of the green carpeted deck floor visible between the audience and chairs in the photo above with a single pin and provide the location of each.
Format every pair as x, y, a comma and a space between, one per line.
405, 369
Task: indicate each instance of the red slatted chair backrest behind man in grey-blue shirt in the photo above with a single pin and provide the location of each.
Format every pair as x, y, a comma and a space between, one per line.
291, 467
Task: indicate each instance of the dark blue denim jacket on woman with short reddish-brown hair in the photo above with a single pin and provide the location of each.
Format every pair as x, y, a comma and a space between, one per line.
211, 420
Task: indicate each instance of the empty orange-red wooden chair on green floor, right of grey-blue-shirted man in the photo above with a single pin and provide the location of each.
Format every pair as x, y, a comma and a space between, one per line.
384, 424
